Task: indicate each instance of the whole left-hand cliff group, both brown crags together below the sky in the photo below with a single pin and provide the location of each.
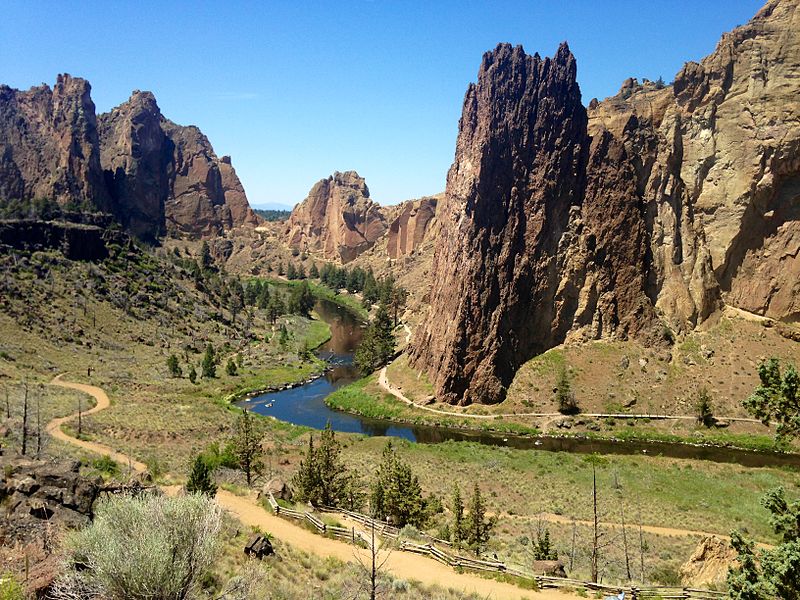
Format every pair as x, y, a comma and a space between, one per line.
155, 176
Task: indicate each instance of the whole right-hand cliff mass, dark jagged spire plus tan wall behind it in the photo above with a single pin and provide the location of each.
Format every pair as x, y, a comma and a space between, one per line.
647, 212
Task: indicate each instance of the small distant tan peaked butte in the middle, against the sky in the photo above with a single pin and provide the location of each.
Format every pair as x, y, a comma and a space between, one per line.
337, 220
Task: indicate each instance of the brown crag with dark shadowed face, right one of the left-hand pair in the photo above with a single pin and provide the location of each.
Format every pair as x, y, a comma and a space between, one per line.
166, 178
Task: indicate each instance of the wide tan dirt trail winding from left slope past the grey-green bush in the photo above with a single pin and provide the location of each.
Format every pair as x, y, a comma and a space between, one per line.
401, 564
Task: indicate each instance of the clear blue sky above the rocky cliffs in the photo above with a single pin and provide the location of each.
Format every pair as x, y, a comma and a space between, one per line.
296, 90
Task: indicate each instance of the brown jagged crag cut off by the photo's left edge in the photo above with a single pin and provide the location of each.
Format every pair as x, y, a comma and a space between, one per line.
49, 146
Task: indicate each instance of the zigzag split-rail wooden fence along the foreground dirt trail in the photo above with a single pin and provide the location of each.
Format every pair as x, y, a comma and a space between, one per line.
456, 561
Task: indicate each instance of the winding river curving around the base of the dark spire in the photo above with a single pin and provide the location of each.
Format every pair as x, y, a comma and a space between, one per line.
305, 405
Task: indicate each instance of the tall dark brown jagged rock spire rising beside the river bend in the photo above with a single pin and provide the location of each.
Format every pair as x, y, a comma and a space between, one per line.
519, 169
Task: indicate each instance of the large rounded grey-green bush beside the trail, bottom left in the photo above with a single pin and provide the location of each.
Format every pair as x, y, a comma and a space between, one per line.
149, 547
